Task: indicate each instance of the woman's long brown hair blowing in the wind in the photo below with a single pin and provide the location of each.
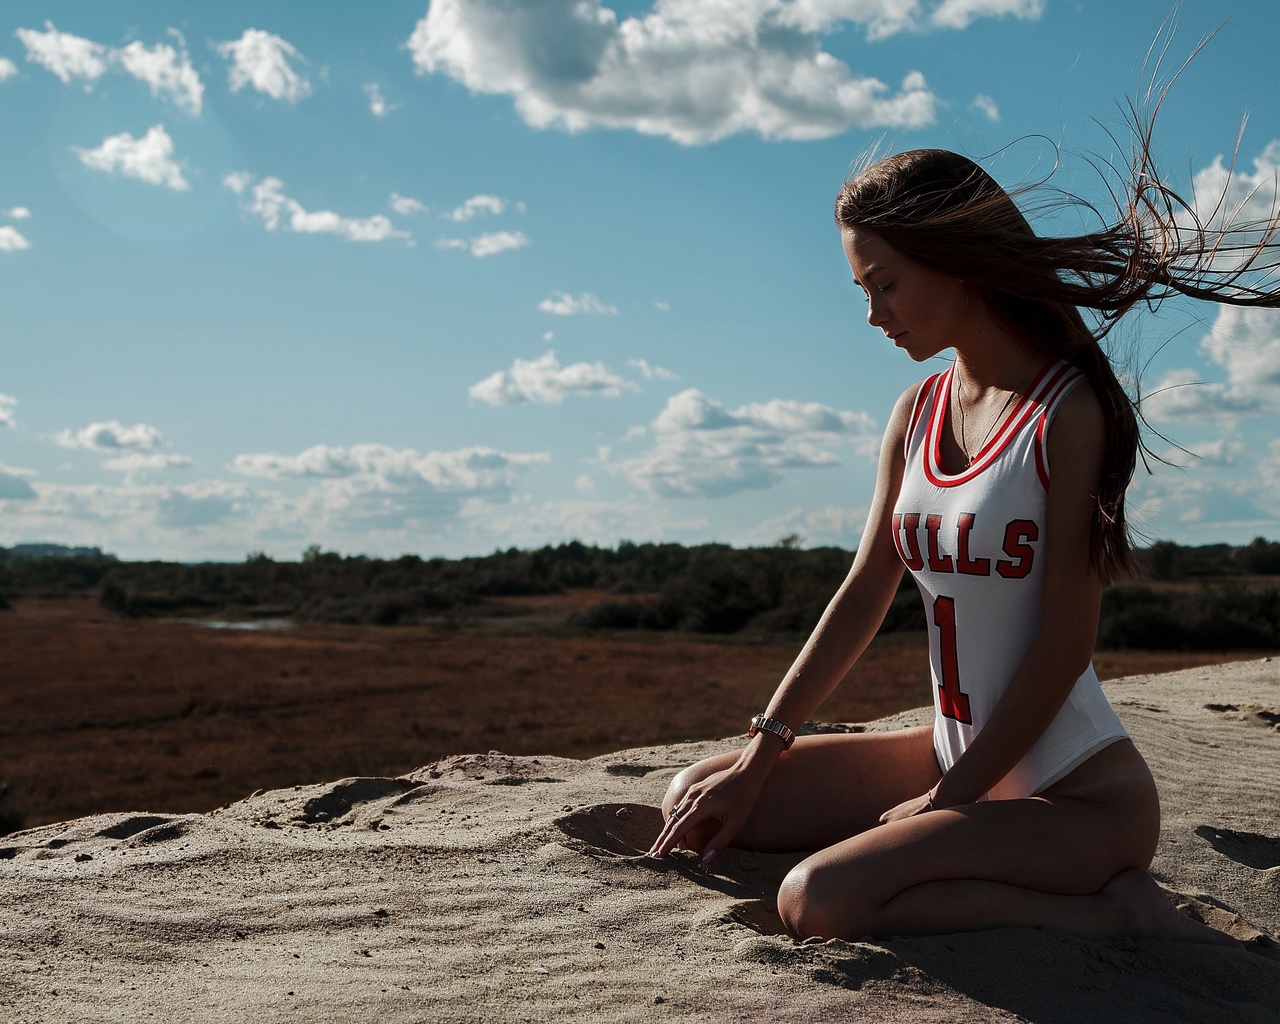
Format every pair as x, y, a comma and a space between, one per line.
948, 214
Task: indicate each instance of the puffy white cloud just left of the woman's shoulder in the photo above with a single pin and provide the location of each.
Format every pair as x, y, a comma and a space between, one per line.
703, 450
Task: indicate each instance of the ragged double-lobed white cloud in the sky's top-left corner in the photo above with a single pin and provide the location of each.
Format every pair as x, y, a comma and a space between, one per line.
167, 70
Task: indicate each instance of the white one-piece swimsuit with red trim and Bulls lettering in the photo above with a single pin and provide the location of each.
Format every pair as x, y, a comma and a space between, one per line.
975, 543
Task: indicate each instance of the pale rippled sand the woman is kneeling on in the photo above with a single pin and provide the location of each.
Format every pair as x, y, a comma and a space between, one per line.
509, 889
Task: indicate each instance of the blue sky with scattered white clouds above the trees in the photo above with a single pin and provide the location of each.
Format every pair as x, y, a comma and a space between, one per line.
450, 277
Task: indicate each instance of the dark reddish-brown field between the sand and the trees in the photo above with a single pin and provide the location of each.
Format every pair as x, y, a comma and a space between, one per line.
100, 715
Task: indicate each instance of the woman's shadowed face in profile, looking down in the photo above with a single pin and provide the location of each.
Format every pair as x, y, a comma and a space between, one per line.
921, 310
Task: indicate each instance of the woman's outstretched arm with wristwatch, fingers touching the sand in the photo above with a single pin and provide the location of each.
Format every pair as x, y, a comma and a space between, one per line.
847, 628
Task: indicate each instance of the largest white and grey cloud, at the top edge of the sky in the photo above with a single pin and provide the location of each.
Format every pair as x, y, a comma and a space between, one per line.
691, 71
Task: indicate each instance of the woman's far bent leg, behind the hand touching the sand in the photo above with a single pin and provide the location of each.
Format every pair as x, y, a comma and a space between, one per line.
826, 789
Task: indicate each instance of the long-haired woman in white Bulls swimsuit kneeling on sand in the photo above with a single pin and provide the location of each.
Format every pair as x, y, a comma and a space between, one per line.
1002, 487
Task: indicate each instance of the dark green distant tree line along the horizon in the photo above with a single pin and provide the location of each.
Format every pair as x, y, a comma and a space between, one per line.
705, 588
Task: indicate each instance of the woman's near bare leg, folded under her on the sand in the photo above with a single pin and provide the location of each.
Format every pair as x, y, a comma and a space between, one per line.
1073, 858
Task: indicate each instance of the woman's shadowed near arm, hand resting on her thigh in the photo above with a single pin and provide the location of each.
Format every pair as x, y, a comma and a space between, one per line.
1063, 646
